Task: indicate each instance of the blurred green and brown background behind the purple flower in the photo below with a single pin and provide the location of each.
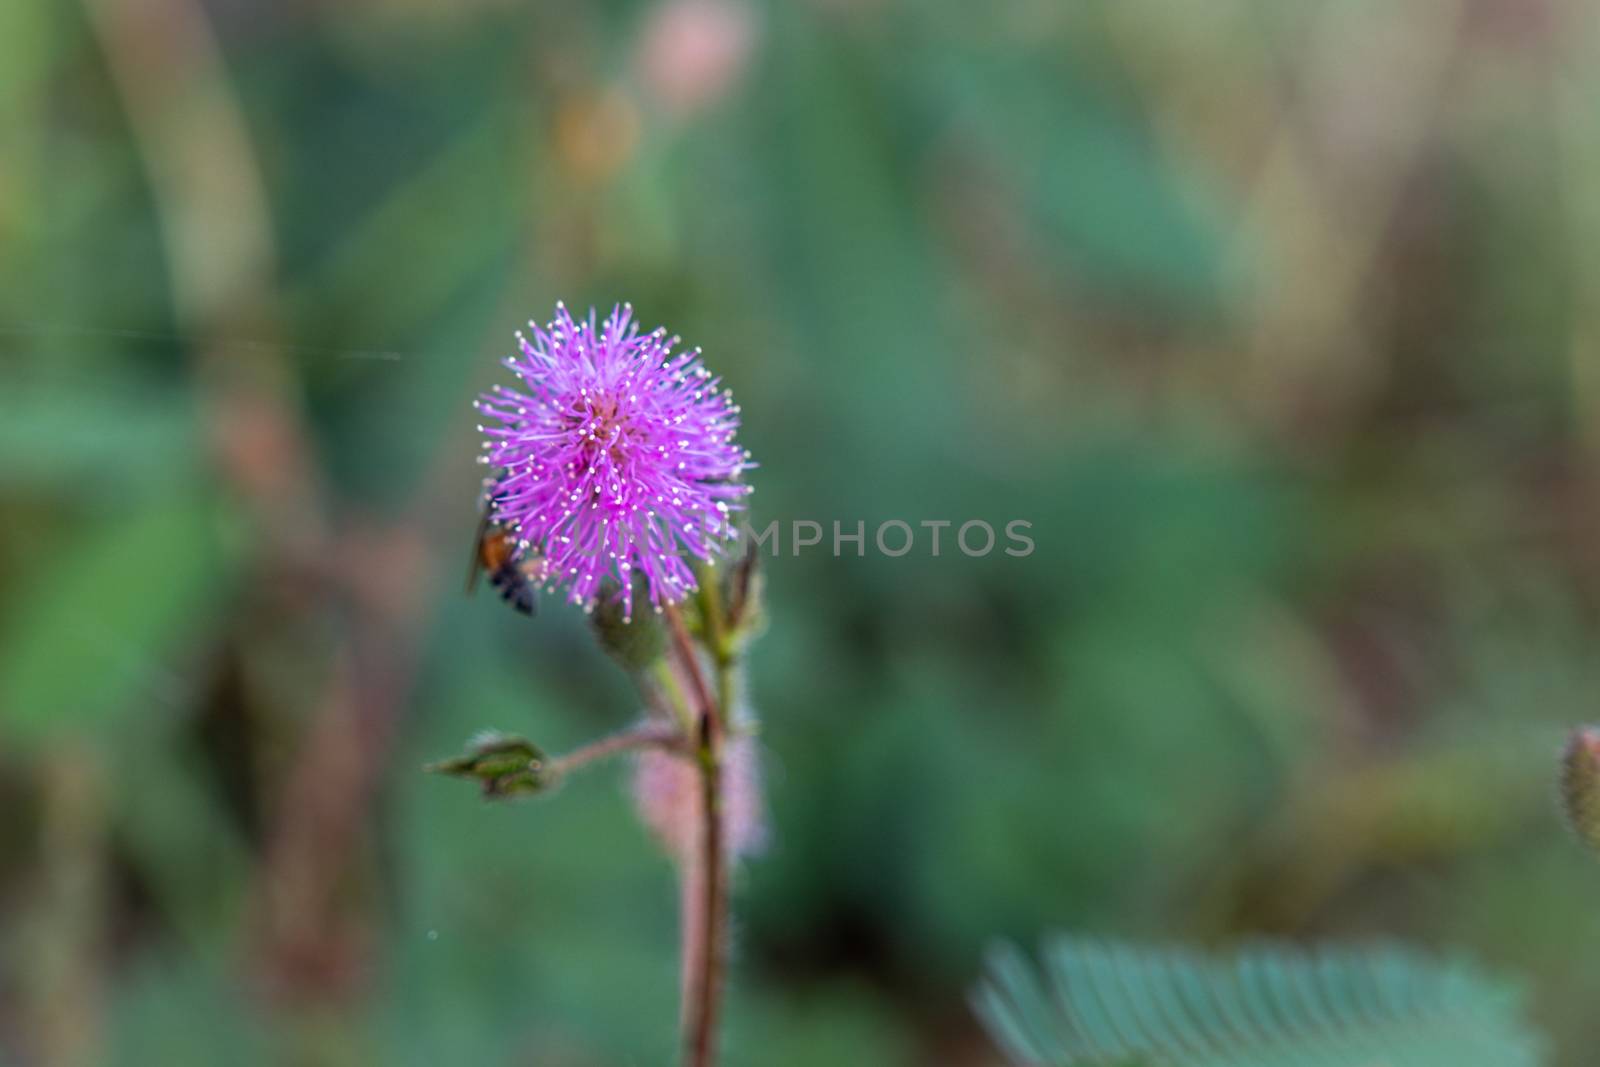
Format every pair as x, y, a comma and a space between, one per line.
1279, 321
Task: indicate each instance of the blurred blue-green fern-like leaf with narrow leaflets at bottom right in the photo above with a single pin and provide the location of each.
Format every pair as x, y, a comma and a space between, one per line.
1110, 1005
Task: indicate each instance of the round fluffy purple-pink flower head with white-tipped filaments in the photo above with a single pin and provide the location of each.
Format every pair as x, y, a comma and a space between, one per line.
615, 457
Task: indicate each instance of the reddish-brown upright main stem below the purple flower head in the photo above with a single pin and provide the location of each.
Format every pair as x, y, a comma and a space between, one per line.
705, 961
